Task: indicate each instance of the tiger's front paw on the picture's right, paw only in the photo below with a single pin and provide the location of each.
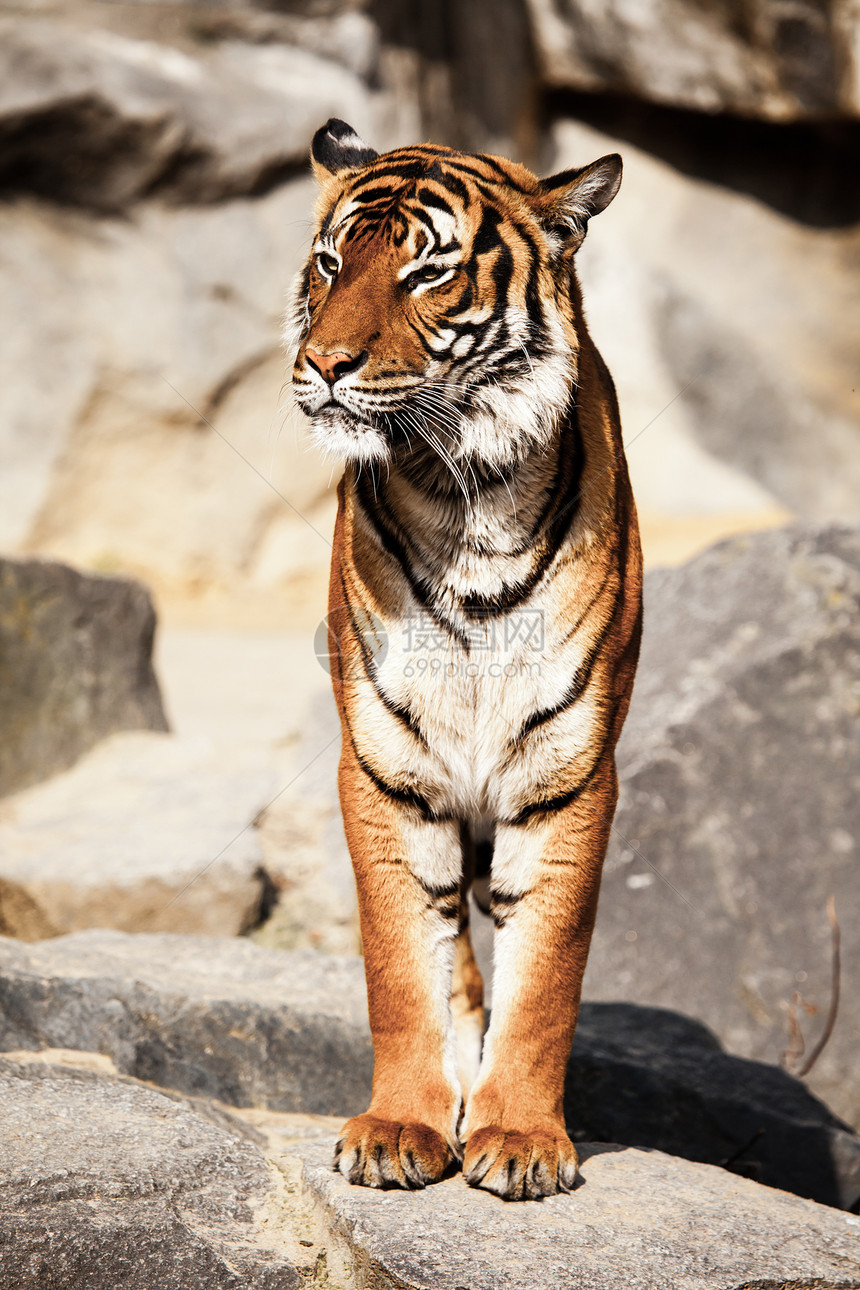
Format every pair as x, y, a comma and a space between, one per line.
520, 1167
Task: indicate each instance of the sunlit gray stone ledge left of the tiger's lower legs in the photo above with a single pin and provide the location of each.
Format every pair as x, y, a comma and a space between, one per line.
212, 1017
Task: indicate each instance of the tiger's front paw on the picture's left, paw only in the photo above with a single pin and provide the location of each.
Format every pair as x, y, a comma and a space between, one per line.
376, 1153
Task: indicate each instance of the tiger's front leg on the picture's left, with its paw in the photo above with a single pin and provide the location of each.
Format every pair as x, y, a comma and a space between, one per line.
408, 875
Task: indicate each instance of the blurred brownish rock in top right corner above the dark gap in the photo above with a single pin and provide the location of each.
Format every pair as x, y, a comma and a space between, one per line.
773, 61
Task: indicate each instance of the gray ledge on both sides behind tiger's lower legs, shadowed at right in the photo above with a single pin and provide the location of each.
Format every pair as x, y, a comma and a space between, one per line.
288, 1031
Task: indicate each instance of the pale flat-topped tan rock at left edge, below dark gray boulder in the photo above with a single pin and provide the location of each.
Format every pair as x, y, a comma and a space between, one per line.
146, 834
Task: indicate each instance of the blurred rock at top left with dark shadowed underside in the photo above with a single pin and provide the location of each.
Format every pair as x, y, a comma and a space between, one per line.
104, 119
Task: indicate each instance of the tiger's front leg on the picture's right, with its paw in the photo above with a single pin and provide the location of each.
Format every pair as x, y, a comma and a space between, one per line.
546, 882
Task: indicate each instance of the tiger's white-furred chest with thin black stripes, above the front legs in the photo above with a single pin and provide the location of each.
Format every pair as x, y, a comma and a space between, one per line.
464, 720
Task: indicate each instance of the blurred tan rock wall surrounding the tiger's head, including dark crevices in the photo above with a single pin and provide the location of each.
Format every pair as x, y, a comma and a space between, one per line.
153, 167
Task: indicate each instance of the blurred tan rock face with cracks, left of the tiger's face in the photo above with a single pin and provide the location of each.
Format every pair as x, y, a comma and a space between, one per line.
177, 319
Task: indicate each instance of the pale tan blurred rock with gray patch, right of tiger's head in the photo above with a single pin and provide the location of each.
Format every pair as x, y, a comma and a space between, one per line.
733, 339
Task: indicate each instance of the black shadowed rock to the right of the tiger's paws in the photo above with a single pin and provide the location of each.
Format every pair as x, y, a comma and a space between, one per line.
652, 1078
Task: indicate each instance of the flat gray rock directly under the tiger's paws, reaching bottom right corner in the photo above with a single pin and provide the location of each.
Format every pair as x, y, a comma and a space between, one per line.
638, 1220
